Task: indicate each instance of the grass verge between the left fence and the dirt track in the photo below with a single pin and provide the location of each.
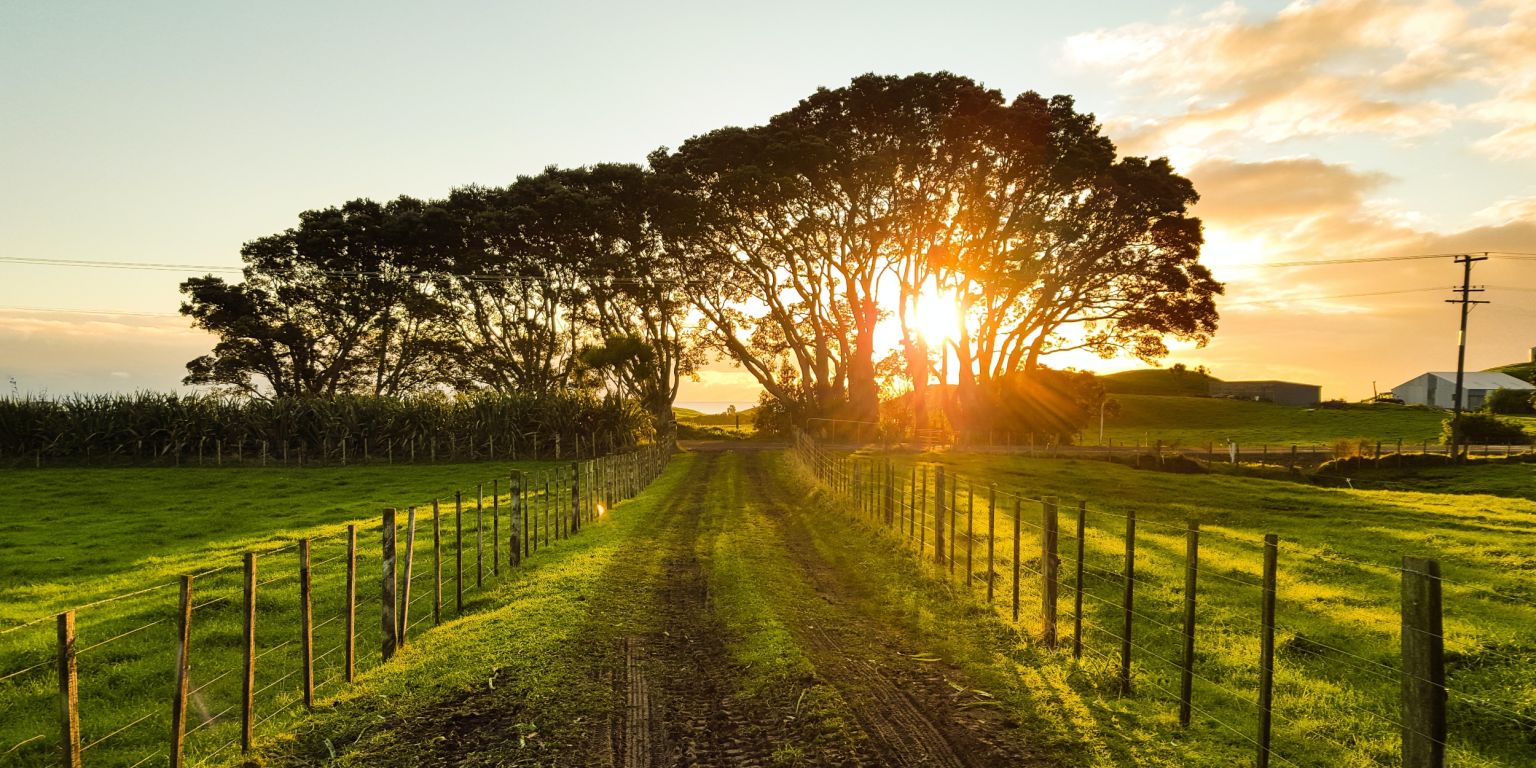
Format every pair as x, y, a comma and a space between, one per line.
515, 658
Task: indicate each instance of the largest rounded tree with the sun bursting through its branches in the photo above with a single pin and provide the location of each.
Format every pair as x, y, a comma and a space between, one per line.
882, 194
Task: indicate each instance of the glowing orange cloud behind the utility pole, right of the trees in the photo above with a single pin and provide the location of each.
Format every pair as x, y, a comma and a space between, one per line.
1349, 325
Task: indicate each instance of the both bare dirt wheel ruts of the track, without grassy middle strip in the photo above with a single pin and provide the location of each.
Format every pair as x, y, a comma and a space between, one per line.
683, 704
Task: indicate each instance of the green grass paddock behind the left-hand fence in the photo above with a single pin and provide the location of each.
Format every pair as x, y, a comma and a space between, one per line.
79, 537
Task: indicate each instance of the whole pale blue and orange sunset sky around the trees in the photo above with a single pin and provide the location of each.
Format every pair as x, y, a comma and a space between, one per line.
174, 133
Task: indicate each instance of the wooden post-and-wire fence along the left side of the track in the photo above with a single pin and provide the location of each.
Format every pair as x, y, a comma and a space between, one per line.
214, 617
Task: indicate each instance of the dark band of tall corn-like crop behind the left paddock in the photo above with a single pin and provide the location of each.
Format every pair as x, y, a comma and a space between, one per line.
153, 428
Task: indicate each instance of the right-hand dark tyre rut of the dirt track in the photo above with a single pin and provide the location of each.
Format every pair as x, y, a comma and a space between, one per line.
904, 707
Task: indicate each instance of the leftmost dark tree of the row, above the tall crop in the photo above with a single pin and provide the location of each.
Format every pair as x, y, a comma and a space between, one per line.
331, 306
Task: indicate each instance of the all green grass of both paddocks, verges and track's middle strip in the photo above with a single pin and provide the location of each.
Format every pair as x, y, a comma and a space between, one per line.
534, 641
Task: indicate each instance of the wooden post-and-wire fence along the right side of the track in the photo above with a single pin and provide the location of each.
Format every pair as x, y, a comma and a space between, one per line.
878, 495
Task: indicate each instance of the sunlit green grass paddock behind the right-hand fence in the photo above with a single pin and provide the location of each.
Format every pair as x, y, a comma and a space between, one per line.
1339, 598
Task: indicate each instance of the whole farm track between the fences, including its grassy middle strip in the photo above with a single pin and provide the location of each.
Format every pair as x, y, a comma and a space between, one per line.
721, 631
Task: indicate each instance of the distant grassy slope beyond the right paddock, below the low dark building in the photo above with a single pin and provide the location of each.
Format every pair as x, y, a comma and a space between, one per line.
1197, 423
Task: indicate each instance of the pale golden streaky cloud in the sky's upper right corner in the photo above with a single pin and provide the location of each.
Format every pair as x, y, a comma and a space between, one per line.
1323, 70
